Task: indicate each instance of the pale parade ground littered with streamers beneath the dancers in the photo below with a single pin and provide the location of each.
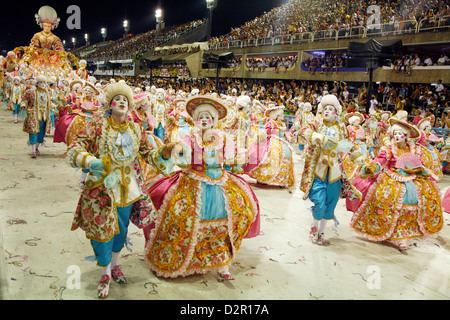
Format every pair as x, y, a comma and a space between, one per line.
42, 259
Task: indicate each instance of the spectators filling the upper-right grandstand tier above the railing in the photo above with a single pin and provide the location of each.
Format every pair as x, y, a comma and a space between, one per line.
300, 16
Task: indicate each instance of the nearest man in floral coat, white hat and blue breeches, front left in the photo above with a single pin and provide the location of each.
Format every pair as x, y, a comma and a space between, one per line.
114, 193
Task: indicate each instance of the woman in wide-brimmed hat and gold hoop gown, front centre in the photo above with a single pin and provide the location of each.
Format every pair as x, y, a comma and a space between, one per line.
204, 211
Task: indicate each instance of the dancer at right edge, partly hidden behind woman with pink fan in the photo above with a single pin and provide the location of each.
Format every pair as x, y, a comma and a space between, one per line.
430, 141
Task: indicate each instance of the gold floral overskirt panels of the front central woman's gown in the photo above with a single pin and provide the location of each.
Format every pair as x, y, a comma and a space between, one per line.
183, 244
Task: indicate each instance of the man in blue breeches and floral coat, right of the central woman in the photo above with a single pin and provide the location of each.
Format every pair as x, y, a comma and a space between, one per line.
324, 170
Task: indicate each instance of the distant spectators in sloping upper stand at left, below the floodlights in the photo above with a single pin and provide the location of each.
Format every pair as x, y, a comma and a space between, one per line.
130, 46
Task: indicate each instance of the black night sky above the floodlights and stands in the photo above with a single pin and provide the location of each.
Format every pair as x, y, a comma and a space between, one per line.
18, 22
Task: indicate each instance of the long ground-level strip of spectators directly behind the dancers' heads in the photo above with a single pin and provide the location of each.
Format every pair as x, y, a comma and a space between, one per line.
419, 100
